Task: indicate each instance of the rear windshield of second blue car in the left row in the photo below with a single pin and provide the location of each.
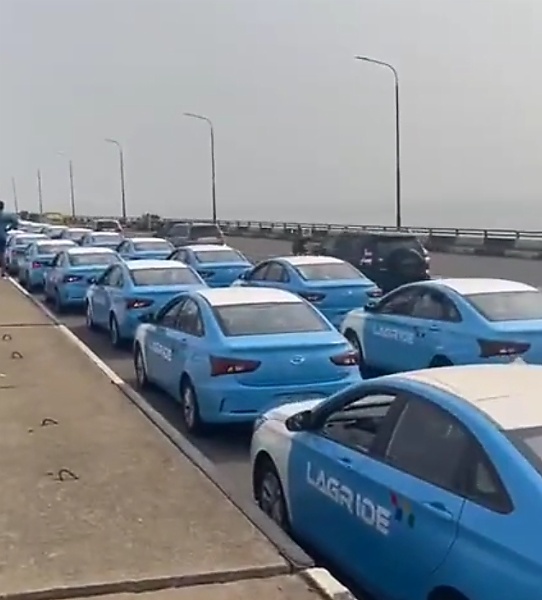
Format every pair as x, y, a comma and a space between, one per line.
268, 319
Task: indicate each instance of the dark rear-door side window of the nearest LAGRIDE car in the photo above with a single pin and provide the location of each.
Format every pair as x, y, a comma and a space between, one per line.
430, 444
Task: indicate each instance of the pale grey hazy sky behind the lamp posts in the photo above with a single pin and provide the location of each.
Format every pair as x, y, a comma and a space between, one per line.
303, 131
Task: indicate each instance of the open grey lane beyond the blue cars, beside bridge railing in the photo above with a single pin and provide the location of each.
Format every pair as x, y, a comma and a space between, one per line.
443, 265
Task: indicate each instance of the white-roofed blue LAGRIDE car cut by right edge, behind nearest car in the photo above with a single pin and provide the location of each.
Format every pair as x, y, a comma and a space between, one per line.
448, 322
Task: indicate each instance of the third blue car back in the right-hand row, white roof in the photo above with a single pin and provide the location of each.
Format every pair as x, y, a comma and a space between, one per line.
220, 266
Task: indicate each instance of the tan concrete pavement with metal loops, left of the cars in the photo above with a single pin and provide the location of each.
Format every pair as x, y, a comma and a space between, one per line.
95, 500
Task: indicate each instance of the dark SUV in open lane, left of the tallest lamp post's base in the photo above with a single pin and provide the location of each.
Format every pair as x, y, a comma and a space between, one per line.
389, 259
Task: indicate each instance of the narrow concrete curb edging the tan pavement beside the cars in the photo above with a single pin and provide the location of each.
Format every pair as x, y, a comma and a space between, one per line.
299, 562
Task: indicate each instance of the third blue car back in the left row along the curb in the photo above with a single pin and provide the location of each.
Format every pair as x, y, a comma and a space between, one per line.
117, 300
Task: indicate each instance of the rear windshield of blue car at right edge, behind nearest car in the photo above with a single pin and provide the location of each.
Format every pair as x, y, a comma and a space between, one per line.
508, 306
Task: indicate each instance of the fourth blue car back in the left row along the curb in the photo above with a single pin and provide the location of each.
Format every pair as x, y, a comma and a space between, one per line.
72, 272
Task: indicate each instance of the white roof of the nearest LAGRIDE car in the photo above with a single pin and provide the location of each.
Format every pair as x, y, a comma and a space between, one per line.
507, 394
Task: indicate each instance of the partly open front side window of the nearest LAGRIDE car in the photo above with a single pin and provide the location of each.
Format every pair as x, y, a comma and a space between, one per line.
359, 424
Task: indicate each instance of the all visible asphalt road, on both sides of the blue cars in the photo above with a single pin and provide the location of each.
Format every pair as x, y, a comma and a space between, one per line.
229, 449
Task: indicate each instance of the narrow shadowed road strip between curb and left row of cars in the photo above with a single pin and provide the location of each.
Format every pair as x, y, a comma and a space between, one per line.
227, 448
